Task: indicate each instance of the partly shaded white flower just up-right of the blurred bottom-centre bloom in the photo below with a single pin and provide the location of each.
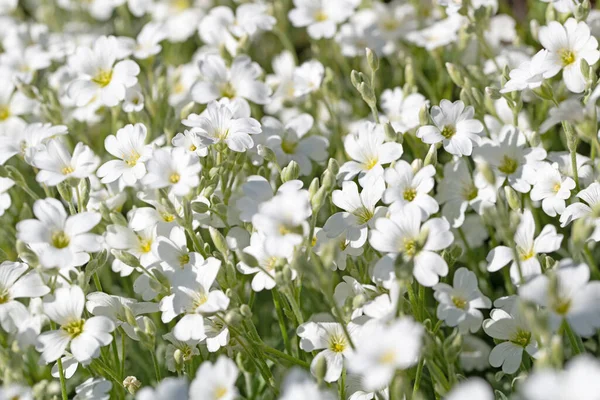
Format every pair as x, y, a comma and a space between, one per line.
459, 304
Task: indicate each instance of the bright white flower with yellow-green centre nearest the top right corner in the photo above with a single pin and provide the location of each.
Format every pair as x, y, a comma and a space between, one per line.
567, 46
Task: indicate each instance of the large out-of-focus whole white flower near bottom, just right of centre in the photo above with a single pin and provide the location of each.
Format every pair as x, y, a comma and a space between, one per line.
383, 349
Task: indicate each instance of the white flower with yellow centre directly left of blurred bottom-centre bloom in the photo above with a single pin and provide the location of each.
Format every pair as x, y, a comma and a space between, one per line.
331, 339
